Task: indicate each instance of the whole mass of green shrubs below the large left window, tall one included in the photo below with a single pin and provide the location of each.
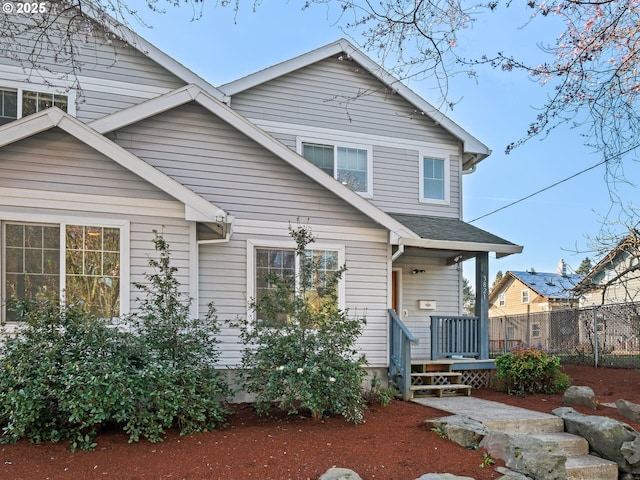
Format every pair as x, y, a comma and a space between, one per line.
67, 374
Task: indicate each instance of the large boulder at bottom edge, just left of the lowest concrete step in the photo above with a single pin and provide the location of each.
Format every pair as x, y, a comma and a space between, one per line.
527, 454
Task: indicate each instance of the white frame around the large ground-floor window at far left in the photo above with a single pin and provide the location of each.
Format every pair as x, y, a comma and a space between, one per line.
62, 221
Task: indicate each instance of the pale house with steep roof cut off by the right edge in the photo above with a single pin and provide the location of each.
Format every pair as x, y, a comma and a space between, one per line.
615, 278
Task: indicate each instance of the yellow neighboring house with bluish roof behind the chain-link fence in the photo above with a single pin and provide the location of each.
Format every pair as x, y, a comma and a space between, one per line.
519, 296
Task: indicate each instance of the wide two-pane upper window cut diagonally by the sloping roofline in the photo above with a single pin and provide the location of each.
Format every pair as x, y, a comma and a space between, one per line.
349, 164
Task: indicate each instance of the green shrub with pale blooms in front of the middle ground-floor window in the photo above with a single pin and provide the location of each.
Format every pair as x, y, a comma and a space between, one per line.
300, 347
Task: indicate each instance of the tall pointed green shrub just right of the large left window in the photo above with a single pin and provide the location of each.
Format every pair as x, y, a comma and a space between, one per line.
178, 383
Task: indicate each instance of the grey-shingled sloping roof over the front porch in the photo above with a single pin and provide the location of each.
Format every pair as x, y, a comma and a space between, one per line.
453, 234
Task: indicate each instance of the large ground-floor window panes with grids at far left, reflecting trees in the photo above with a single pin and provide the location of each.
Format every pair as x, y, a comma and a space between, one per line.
79, 263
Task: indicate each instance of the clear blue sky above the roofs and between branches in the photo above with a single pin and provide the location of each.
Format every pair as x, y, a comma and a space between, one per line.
497, 110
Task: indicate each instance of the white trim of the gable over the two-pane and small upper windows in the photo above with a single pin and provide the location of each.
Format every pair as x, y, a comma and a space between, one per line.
473, 149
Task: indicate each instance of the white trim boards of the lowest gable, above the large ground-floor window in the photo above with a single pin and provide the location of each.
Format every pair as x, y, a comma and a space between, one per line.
196, 207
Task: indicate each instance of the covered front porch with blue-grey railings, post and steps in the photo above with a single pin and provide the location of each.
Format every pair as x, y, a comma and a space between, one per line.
428, 332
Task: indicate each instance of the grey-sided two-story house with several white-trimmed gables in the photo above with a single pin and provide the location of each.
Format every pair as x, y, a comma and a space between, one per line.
327, 139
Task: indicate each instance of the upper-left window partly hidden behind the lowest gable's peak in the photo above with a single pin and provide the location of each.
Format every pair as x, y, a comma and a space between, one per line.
18, 103
